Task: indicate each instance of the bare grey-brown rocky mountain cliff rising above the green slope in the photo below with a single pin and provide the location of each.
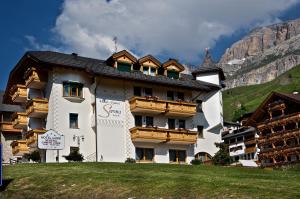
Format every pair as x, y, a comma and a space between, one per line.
262, 55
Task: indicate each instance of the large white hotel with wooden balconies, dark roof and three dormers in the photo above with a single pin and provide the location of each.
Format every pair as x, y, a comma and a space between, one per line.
117, 108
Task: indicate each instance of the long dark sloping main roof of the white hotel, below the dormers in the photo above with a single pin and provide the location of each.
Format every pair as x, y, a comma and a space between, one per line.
99, 67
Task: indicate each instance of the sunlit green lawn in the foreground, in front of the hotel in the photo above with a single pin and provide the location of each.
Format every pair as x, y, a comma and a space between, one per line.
113, 180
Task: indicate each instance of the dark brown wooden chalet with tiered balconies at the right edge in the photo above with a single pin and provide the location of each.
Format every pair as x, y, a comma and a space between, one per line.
277, 121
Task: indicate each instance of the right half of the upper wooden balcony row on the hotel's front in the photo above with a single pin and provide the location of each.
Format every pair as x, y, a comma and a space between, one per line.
180, 109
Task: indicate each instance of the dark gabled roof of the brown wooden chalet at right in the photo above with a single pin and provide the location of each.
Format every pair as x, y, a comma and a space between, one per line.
258, 113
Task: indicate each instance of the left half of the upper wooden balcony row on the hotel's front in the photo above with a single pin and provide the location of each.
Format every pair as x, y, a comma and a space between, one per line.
148, 105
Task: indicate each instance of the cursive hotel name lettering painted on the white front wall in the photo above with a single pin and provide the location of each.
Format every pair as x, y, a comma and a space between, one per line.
110, 110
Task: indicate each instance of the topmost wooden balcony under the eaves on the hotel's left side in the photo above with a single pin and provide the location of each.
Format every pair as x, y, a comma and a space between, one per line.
35, 79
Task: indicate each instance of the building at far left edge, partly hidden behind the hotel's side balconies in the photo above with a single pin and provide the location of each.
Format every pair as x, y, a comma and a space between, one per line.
7, 132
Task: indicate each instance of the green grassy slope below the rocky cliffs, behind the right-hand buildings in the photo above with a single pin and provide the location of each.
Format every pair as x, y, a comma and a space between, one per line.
251, 96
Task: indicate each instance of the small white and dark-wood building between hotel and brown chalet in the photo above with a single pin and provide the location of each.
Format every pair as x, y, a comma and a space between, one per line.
241, 141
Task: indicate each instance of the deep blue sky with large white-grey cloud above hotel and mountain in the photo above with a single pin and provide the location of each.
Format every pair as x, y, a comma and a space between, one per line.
170, 28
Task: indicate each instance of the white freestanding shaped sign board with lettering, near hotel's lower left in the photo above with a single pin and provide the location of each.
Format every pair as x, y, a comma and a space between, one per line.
51, 140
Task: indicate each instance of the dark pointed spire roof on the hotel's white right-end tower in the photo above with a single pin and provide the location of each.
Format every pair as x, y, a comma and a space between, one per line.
209, 66
